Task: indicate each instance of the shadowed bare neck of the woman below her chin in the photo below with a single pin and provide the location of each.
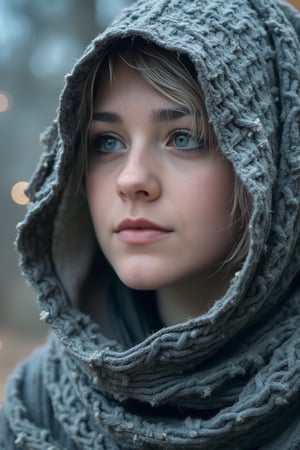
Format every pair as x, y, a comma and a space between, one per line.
191, 298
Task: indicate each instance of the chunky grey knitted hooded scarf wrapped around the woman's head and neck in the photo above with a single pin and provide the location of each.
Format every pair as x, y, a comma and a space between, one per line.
229, 379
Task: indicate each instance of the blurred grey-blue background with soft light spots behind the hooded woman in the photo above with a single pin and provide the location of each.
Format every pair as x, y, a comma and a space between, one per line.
40, 41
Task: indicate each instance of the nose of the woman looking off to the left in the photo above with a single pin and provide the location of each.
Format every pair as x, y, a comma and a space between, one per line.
139, 177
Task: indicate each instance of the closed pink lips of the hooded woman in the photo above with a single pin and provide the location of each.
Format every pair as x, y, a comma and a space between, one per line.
140, 231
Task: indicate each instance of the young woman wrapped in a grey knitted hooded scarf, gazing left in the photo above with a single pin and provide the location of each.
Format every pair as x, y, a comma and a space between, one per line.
162, 238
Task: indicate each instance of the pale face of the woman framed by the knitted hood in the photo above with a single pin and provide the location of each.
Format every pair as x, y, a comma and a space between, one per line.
159, 199
